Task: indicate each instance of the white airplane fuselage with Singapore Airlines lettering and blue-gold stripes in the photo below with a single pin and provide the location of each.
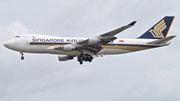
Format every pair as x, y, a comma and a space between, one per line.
31, 43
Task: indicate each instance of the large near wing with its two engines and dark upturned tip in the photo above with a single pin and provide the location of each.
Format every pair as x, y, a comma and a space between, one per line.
93, 45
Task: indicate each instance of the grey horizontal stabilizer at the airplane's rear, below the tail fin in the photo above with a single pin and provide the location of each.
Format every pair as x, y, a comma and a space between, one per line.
162, 41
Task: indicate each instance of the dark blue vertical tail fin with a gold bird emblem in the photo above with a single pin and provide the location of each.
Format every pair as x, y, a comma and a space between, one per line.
159, 30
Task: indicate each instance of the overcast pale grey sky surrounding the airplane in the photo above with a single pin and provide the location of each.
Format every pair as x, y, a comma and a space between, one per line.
150, 75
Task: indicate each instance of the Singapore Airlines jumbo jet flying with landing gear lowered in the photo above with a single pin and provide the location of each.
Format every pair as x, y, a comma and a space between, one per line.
85, 49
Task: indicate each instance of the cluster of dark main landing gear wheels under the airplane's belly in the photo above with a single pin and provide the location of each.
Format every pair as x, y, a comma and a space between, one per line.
84, 57
